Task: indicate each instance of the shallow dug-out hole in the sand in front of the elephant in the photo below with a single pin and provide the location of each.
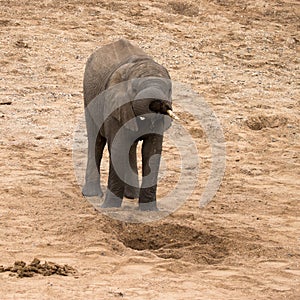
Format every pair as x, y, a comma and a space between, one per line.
175, 242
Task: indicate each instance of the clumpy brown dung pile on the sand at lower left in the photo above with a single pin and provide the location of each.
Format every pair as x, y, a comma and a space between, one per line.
35, 267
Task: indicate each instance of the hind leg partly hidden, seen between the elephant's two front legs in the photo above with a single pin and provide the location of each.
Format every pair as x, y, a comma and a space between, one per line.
132, 181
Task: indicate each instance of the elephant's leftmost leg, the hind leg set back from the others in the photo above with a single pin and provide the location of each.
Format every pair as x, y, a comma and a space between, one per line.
96, 144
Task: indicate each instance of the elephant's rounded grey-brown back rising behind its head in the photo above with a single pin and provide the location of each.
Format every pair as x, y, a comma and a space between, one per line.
103, 62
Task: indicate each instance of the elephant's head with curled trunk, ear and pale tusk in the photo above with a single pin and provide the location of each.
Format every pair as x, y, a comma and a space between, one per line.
129, 95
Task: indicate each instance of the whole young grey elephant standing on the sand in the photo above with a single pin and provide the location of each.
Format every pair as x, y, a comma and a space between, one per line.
120, 73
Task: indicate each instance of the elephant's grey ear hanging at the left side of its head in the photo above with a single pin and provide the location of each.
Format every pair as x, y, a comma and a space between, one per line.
118, 105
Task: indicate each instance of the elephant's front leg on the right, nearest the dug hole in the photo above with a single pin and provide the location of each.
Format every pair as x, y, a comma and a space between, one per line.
151, 152
